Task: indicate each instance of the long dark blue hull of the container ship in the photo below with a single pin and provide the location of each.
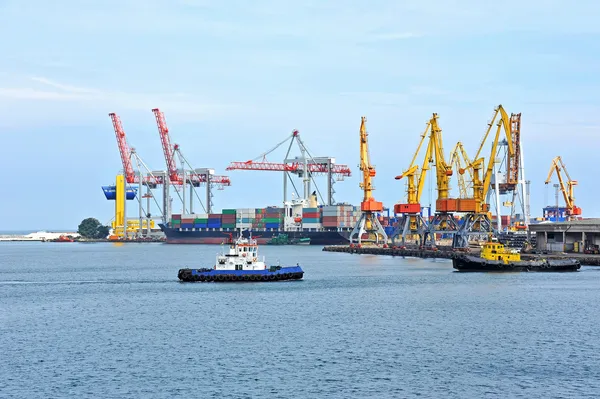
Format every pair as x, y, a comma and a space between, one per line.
218, 236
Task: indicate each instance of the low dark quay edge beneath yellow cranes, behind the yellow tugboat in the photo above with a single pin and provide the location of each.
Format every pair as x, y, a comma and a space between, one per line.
448, 253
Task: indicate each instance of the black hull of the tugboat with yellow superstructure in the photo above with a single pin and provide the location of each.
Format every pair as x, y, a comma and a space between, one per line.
467, 263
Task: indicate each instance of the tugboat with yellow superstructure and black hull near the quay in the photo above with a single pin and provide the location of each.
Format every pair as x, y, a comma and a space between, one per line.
496, 258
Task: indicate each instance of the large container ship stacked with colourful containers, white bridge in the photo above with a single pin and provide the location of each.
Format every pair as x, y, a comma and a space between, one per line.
300, 220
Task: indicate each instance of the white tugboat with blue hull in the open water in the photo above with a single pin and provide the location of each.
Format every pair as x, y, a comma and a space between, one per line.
241, 263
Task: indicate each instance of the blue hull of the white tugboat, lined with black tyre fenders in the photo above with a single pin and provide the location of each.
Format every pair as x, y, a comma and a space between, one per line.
221, 276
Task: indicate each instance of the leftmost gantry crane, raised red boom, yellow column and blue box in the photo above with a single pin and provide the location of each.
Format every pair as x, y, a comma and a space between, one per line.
120, 193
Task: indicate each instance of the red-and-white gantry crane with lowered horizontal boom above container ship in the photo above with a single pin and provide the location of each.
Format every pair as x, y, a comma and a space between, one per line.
306, 166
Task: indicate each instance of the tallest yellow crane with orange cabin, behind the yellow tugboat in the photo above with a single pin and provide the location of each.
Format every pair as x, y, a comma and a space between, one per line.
477, 218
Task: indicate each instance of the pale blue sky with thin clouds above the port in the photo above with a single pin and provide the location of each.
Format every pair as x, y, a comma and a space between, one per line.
235, 77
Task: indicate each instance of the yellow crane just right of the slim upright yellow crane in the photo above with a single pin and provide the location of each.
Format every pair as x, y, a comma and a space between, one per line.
411, 223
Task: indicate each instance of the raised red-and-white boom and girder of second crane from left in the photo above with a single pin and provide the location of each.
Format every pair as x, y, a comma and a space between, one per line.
169, 151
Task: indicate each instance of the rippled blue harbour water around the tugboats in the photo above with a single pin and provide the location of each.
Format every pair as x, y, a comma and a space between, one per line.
109, 321
